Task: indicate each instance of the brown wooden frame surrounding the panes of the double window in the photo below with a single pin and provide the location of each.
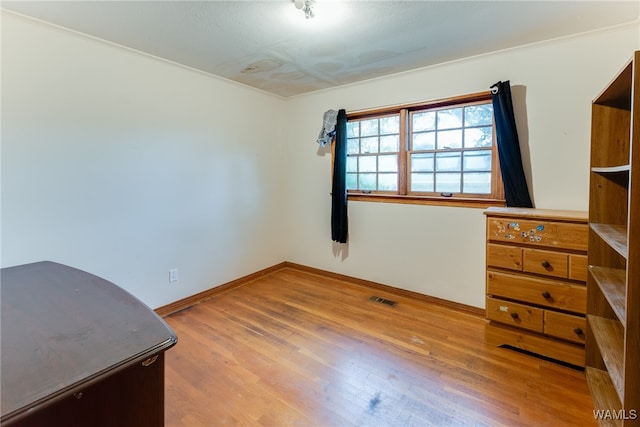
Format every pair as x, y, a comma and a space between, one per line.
403, 195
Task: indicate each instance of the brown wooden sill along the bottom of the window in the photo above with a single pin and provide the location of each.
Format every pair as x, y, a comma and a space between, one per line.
479, 203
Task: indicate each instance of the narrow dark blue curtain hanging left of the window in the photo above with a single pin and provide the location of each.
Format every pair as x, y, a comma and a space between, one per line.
339, 223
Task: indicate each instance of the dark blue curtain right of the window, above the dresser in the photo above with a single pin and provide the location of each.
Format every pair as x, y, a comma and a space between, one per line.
515, 184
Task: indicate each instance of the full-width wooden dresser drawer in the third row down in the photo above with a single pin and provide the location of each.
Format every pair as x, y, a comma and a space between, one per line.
544, 292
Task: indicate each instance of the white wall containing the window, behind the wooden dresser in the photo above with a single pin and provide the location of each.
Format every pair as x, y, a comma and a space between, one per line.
439, 251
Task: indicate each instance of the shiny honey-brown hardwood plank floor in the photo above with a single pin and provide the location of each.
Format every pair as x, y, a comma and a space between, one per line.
298, 349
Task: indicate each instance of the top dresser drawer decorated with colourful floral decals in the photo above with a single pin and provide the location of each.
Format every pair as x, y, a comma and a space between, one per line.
538, 233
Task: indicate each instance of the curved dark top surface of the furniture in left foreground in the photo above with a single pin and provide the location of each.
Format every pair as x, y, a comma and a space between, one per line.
64, 329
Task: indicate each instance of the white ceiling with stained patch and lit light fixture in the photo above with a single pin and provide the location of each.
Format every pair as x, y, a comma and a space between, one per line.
270, 45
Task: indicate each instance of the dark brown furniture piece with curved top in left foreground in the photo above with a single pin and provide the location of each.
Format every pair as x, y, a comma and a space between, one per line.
77, 350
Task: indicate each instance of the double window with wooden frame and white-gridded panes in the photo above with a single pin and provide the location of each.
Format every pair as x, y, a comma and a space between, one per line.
438, 152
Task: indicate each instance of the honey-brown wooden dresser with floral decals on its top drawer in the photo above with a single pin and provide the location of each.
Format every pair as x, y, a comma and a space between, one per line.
536, 275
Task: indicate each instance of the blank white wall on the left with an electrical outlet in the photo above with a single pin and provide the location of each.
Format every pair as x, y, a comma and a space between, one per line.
126, 166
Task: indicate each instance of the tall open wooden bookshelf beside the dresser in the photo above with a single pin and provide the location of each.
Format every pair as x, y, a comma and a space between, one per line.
613, 283
